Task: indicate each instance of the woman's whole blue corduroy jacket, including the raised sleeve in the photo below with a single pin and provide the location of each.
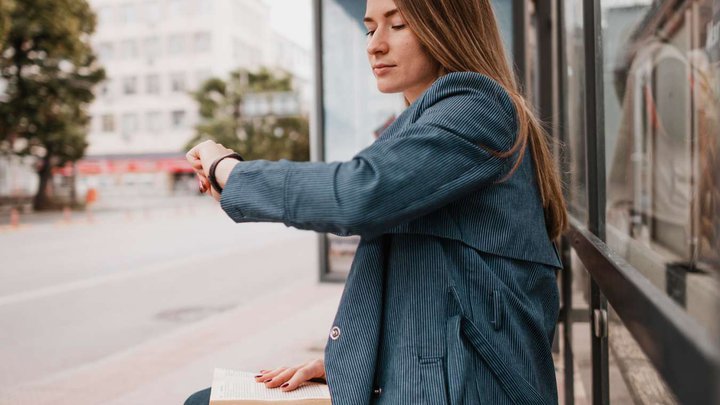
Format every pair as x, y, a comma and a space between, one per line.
451, 297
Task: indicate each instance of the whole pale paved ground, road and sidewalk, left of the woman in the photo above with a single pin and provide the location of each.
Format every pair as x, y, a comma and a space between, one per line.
139, 306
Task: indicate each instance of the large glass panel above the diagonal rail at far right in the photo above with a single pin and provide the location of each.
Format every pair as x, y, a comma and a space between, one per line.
663, 141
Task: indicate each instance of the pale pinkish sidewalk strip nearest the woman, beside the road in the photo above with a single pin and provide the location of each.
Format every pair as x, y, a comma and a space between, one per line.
169, 369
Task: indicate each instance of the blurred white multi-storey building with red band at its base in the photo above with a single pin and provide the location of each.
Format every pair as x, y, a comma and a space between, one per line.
155, 53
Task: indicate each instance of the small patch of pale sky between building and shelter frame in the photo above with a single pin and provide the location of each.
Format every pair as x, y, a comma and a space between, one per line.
293, 18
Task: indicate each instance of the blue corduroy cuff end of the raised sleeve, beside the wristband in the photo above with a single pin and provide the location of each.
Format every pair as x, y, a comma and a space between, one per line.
255, 192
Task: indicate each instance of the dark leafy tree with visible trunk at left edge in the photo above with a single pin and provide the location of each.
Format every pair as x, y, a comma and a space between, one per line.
49, 70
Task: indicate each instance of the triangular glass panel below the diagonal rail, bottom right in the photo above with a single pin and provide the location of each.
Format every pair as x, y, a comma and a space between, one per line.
633, 379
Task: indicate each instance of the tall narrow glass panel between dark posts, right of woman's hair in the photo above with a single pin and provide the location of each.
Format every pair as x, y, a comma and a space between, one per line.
575, 109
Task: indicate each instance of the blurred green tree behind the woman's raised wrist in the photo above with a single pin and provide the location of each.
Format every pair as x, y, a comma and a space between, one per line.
259, 137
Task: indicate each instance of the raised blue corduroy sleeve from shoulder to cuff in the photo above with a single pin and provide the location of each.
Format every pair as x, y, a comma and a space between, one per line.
425, 165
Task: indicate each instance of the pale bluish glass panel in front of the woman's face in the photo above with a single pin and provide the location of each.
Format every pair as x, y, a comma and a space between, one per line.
354, 110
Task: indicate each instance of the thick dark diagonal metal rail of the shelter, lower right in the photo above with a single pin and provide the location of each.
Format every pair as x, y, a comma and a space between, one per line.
686, 357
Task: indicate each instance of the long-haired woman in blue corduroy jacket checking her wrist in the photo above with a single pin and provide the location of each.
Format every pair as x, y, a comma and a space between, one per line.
452, 296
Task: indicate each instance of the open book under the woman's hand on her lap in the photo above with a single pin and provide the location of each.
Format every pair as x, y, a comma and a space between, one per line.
232, 387
